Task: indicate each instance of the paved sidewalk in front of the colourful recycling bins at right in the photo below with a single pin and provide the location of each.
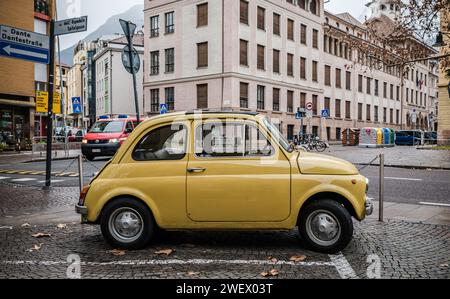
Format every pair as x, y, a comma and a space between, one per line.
399, 156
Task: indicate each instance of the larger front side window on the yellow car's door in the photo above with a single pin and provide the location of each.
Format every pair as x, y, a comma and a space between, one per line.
230, 140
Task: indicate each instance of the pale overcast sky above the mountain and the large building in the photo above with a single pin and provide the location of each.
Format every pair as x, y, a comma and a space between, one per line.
98, 11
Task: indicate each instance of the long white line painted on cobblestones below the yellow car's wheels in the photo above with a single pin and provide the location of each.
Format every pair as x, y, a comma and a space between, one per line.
172, 262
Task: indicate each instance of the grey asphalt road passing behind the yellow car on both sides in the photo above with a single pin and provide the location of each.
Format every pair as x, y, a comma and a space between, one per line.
401, 185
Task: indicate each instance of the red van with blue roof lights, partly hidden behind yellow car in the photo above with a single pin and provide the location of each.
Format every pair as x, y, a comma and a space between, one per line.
106, 136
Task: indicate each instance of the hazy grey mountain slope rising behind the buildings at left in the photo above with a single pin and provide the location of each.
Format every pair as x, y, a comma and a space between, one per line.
111, 26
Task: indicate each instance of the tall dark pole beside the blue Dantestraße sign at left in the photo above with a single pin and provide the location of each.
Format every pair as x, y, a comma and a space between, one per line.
51, 71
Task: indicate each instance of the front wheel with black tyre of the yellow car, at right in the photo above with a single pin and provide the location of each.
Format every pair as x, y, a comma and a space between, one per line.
325, 226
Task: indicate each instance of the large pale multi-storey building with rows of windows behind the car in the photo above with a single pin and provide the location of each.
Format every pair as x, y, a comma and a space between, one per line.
275, 57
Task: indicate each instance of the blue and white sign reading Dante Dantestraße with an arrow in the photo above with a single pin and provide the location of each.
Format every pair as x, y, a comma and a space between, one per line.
25, 45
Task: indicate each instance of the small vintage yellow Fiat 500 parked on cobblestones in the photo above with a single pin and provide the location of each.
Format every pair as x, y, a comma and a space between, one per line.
222, 171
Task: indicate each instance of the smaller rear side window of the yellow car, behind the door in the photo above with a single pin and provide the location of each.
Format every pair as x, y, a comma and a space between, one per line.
163, 143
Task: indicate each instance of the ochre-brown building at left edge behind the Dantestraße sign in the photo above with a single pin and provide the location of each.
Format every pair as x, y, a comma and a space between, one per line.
19, 80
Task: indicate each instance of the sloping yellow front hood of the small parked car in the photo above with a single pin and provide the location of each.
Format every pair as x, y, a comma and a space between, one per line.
310, 163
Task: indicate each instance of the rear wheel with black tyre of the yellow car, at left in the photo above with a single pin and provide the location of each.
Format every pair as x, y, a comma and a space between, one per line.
127, 223
